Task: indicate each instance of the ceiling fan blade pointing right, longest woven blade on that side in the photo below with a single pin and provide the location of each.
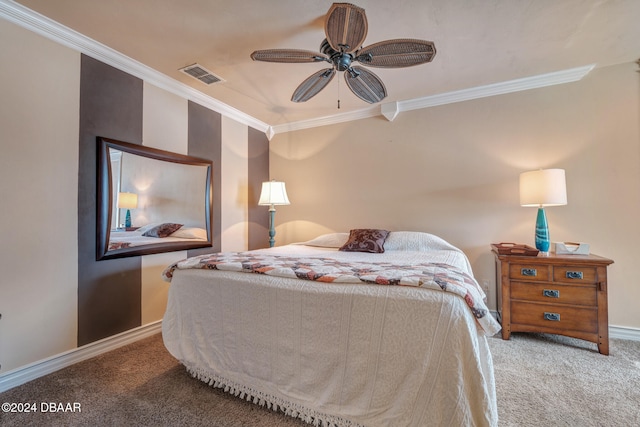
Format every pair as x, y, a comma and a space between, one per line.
397, 53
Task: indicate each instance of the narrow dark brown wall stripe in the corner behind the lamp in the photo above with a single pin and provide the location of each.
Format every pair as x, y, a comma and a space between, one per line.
258, 173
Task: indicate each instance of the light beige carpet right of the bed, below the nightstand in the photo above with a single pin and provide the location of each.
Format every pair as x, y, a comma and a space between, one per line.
550, 380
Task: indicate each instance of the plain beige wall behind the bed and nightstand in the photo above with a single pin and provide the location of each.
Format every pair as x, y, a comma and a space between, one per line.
453, 171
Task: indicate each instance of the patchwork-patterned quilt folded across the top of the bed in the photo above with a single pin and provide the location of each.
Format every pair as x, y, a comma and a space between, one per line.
426, 275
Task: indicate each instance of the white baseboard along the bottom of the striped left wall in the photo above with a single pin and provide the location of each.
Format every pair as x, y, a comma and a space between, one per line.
52, 364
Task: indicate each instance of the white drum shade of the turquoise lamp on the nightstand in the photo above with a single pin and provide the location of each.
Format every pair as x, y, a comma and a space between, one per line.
546, 187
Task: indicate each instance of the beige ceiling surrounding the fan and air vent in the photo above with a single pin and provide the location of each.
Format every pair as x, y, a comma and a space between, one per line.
478, 43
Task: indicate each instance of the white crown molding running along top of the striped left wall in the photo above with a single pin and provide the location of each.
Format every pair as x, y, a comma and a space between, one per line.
46, 27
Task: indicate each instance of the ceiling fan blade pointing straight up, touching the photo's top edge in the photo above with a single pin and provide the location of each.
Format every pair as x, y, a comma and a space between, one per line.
345, 27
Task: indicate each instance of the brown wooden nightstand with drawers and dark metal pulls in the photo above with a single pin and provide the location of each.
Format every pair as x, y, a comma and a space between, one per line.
555, 294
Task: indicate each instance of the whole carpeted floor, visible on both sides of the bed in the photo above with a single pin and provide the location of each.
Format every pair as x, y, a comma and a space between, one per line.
541, 381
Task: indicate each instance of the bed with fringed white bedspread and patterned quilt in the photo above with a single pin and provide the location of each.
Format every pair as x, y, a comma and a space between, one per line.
350, 337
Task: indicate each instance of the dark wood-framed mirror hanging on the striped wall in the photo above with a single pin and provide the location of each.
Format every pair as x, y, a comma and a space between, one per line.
151, 200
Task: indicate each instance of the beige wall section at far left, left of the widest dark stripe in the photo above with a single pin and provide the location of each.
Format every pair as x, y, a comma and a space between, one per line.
38, 193
